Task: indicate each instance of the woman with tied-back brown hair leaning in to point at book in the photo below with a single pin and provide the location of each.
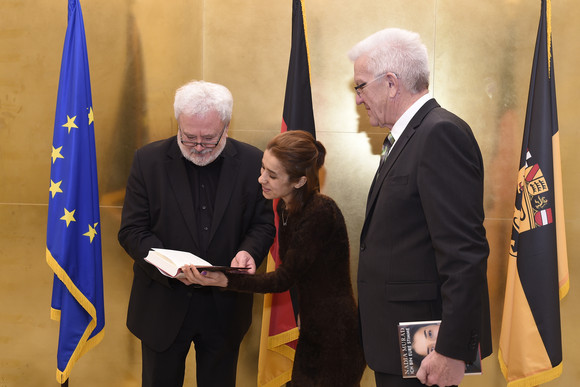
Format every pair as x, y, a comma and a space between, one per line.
314, 254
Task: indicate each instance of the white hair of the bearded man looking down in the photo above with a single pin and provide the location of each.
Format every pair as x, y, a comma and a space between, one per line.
200, 98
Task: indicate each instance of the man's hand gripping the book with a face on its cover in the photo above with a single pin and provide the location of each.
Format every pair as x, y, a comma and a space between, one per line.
440, 370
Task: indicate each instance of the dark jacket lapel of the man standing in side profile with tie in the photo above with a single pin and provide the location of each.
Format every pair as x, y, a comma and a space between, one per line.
398, 148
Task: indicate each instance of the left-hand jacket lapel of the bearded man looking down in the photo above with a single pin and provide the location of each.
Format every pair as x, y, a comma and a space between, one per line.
179, 182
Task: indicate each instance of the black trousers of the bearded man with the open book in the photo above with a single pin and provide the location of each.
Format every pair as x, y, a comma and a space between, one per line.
216, 355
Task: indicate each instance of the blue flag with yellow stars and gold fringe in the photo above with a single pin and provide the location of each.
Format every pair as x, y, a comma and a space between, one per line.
73, 242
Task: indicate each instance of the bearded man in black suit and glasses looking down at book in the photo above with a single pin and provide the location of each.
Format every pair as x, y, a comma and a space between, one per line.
197, 192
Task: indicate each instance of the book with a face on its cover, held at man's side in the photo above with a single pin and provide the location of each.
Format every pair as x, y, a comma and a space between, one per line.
416, 340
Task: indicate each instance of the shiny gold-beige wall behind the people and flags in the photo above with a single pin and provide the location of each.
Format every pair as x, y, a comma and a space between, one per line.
140, 51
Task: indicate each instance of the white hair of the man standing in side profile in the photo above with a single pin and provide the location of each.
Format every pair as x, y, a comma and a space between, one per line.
397, 51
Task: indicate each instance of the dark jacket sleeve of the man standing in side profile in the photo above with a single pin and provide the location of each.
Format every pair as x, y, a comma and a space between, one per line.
451, 190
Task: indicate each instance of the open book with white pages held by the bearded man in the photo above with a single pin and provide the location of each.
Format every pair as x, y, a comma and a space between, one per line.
170, 262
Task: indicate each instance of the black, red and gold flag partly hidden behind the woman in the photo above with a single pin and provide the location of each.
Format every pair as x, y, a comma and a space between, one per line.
279, 329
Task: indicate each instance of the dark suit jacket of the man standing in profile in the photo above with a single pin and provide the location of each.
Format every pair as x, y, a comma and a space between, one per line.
423, 247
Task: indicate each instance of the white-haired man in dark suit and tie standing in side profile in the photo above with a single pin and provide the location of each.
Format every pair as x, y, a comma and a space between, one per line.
423, 250
